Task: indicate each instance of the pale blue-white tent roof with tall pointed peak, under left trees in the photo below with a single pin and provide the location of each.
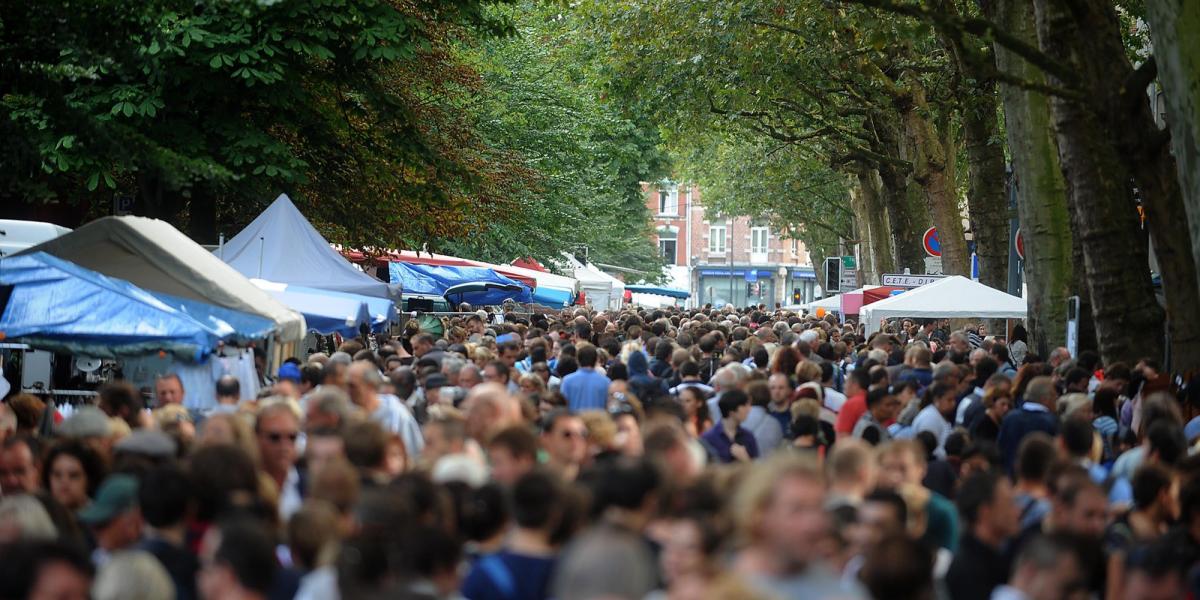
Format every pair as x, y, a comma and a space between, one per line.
281, 245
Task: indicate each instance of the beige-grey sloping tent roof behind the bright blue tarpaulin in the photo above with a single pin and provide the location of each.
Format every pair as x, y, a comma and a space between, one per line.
157, 257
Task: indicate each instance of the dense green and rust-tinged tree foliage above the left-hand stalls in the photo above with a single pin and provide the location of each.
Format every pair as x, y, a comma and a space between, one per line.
392, 123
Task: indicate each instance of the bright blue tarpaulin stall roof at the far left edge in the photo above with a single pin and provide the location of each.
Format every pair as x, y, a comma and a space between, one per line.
64, 308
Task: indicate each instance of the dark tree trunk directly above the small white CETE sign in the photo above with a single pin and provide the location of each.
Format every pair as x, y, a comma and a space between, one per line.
908, 215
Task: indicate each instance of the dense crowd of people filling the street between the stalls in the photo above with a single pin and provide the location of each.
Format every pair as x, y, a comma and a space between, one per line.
679, 454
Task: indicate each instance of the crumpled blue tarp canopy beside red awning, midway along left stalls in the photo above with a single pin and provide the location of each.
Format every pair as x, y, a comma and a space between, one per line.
476, 285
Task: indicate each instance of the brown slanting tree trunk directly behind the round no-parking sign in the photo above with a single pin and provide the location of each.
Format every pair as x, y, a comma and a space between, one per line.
931, 165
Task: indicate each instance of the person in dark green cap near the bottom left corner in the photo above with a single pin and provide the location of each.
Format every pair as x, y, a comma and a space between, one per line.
113, 518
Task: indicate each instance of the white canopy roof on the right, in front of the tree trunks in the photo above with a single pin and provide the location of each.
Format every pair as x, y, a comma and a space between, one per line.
950, 298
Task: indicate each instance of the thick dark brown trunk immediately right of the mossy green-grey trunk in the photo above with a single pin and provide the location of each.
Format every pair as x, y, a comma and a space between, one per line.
1129, 320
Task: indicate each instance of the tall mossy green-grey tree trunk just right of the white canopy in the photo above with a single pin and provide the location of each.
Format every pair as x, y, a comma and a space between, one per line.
1041, 190
